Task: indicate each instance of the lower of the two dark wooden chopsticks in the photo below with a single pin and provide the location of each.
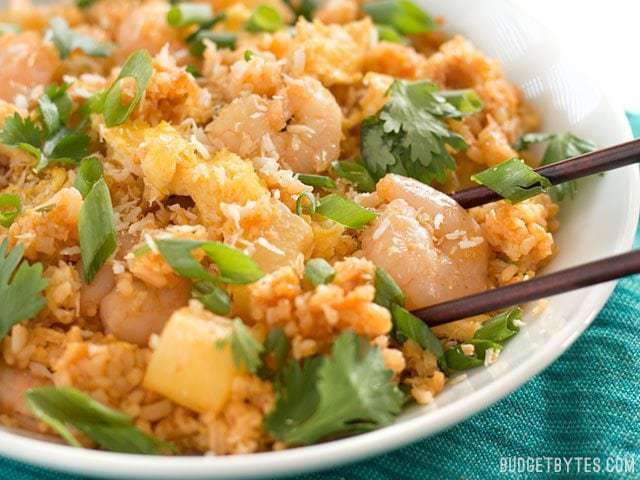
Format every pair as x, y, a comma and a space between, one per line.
539, 287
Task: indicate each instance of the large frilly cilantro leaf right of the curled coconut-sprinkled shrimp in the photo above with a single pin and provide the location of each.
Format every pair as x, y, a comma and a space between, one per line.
409, 137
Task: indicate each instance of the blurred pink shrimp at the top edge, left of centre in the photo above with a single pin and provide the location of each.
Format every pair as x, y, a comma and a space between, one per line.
146, 27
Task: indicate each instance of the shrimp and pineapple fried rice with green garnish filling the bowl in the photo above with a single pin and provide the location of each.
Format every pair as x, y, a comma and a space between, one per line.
217, 218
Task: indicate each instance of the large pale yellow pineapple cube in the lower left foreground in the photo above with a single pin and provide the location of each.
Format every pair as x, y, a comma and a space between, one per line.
187, 366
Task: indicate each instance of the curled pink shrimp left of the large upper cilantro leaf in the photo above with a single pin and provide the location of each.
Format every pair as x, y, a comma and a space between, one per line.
301, 125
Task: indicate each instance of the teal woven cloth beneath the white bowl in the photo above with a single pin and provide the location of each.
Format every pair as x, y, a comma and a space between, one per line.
586, 404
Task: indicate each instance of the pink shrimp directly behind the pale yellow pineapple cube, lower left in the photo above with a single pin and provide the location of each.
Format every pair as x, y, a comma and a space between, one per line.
133, 311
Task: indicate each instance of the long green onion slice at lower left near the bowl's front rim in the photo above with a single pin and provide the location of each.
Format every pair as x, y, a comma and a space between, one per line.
61, 407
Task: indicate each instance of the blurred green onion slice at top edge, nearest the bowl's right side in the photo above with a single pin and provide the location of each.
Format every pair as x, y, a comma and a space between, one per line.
403, 15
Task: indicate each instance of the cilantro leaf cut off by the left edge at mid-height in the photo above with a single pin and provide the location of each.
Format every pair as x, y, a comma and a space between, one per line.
21, 286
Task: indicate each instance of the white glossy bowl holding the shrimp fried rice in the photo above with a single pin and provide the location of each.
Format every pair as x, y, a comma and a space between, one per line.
600, 222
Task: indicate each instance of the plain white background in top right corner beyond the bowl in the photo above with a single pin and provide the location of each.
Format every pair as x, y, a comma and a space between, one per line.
605, 37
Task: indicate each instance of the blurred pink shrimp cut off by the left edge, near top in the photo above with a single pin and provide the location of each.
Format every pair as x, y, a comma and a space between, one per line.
26, 61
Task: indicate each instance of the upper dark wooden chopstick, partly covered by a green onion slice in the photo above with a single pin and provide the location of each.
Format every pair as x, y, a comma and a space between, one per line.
599, 161
